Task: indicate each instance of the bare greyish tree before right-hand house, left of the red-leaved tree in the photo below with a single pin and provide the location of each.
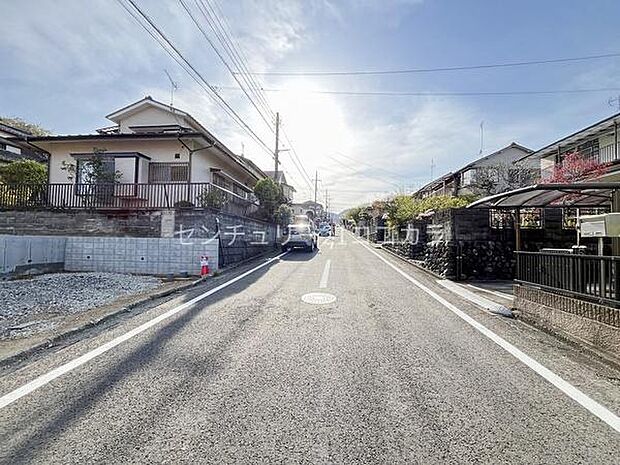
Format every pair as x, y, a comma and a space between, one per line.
490, 180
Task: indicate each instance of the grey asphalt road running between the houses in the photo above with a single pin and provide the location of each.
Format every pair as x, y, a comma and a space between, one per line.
385, 374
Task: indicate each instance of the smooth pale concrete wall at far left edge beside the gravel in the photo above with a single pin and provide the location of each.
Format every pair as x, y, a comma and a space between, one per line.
23, 255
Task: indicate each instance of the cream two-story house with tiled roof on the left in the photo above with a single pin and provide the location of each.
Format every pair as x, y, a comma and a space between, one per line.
153, 156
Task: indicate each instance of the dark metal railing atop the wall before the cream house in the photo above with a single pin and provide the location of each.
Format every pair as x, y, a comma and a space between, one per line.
120, 196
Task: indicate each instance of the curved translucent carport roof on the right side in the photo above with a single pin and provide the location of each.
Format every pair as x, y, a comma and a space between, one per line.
586, 194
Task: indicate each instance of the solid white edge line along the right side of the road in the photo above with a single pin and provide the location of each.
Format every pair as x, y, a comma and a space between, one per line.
571, 391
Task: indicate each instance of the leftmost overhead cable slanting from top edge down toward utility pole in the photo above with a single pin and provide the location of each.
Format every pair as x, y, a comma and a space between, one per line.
177, 56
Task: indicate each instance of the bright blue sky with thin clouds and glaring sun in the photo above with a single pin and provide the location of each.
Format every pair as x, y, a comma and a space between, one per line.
65, 64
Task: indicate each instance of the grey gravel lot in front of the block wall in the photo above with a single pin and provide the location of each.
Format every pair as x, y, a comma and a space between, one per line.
27, 305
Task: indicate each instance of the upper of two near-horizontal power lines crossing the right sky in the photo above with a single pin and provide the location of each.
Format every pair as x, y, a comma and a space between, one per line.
440, 69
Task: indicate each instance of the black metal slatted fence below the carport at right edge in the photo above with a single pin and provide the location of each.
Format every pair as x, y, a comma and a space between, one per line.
589, 277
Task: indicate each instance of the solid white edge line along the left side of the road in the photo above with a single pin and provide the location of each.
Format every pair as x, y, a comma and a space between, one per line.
42, 380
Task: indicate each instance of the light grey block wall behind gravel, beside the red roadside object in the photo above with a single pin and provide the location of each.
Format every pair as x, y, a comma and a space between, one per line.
139, 255
